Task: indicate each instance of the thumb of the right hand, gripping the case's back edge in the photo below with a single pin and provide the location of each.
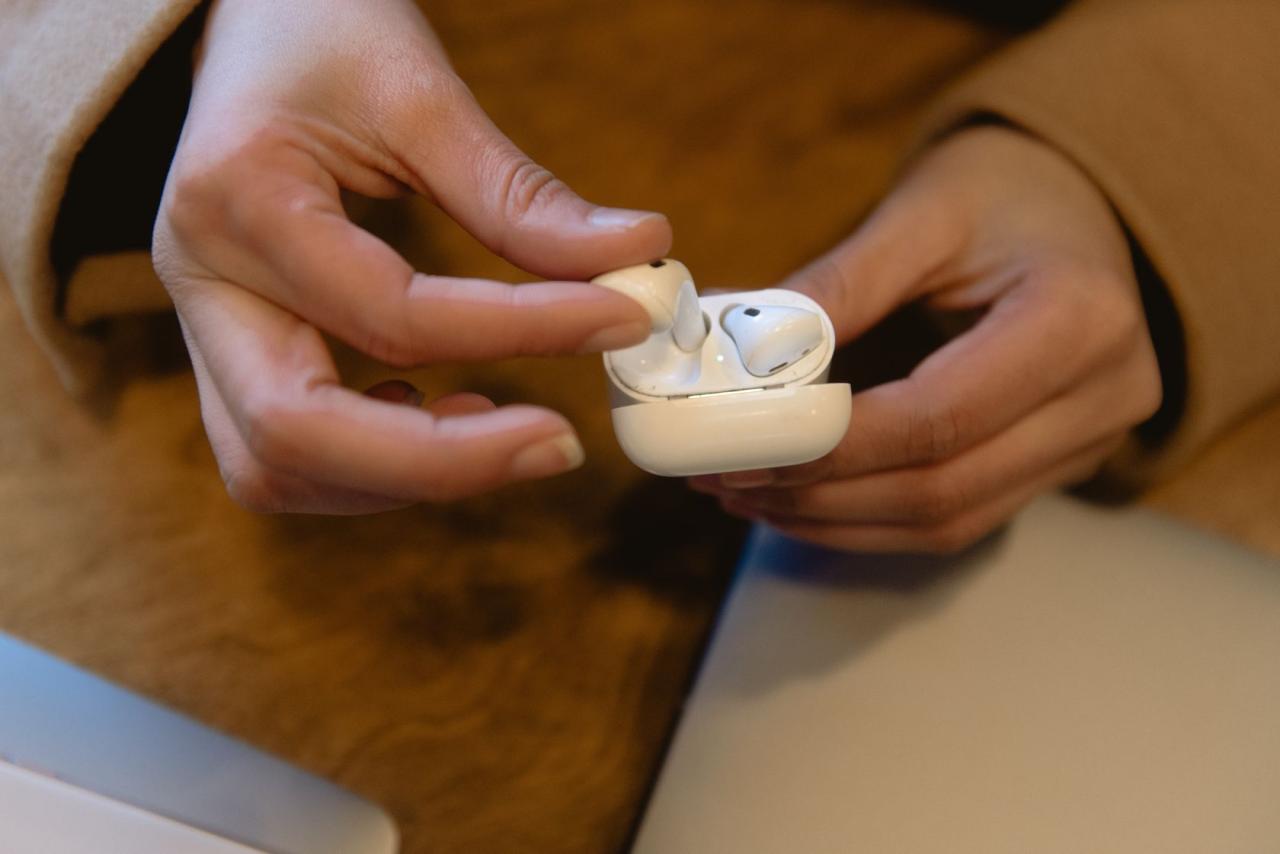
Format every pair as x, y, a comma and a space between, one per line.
897, 257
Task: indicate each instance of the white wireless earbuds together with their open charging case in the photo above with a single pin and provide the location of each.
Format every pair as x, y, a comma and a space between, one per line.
726, 382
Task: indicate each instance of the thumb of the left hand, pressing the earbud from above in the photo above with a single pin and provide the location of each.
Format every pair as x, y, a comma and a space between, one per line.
519, 209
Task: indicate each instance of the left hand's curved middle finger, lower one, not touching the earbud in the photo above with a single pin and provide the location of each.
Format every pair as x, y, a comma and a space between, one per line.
284, 396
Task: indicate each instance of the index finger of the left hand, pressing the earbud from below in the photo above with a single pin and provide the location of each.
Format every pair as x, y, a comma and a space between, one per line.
278, 229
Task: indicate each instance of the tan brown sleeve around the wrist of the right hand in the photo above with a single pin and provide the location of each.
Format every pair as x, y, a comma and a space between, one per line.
1173, 107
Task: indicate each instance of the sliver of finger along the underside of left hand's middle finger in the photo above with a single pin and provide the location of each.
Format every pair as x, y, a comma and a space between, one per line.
254, 486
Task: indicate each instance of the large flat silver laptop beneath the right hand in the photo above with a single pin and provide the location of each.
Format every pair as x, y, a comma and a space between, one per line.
1090, 681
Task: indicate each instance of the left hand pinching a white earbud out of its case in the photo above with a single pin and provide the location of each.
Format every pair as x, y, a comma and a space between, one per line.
296, 102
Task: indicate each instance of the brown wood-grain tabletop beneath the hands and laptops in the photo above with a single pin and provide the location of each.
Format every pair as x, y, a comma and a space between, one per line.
502, 673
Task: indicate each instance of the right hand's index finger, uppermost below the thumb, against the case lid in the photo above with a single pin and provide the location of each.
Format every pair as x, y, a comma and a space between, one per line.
1025, 353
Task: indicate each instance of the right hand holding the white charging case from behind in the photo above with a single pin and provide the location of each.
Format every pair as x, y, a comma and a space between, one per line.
1032, 398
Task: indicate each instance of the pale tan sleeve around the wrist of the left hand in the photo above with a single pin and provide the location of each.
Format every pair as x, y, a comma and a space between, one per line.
63, 66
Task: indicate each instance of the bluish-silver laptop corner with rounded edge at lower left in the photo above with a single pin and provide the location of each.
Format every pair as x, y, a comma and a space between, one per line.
86, 766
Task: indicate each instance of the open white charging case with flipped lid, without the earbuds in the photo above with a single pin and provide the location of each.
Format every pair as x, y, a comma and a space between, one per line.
680, 414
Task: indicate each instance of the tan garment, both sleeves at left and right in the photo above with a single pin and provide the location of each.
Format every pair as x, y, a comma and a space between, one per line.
1171, 106
